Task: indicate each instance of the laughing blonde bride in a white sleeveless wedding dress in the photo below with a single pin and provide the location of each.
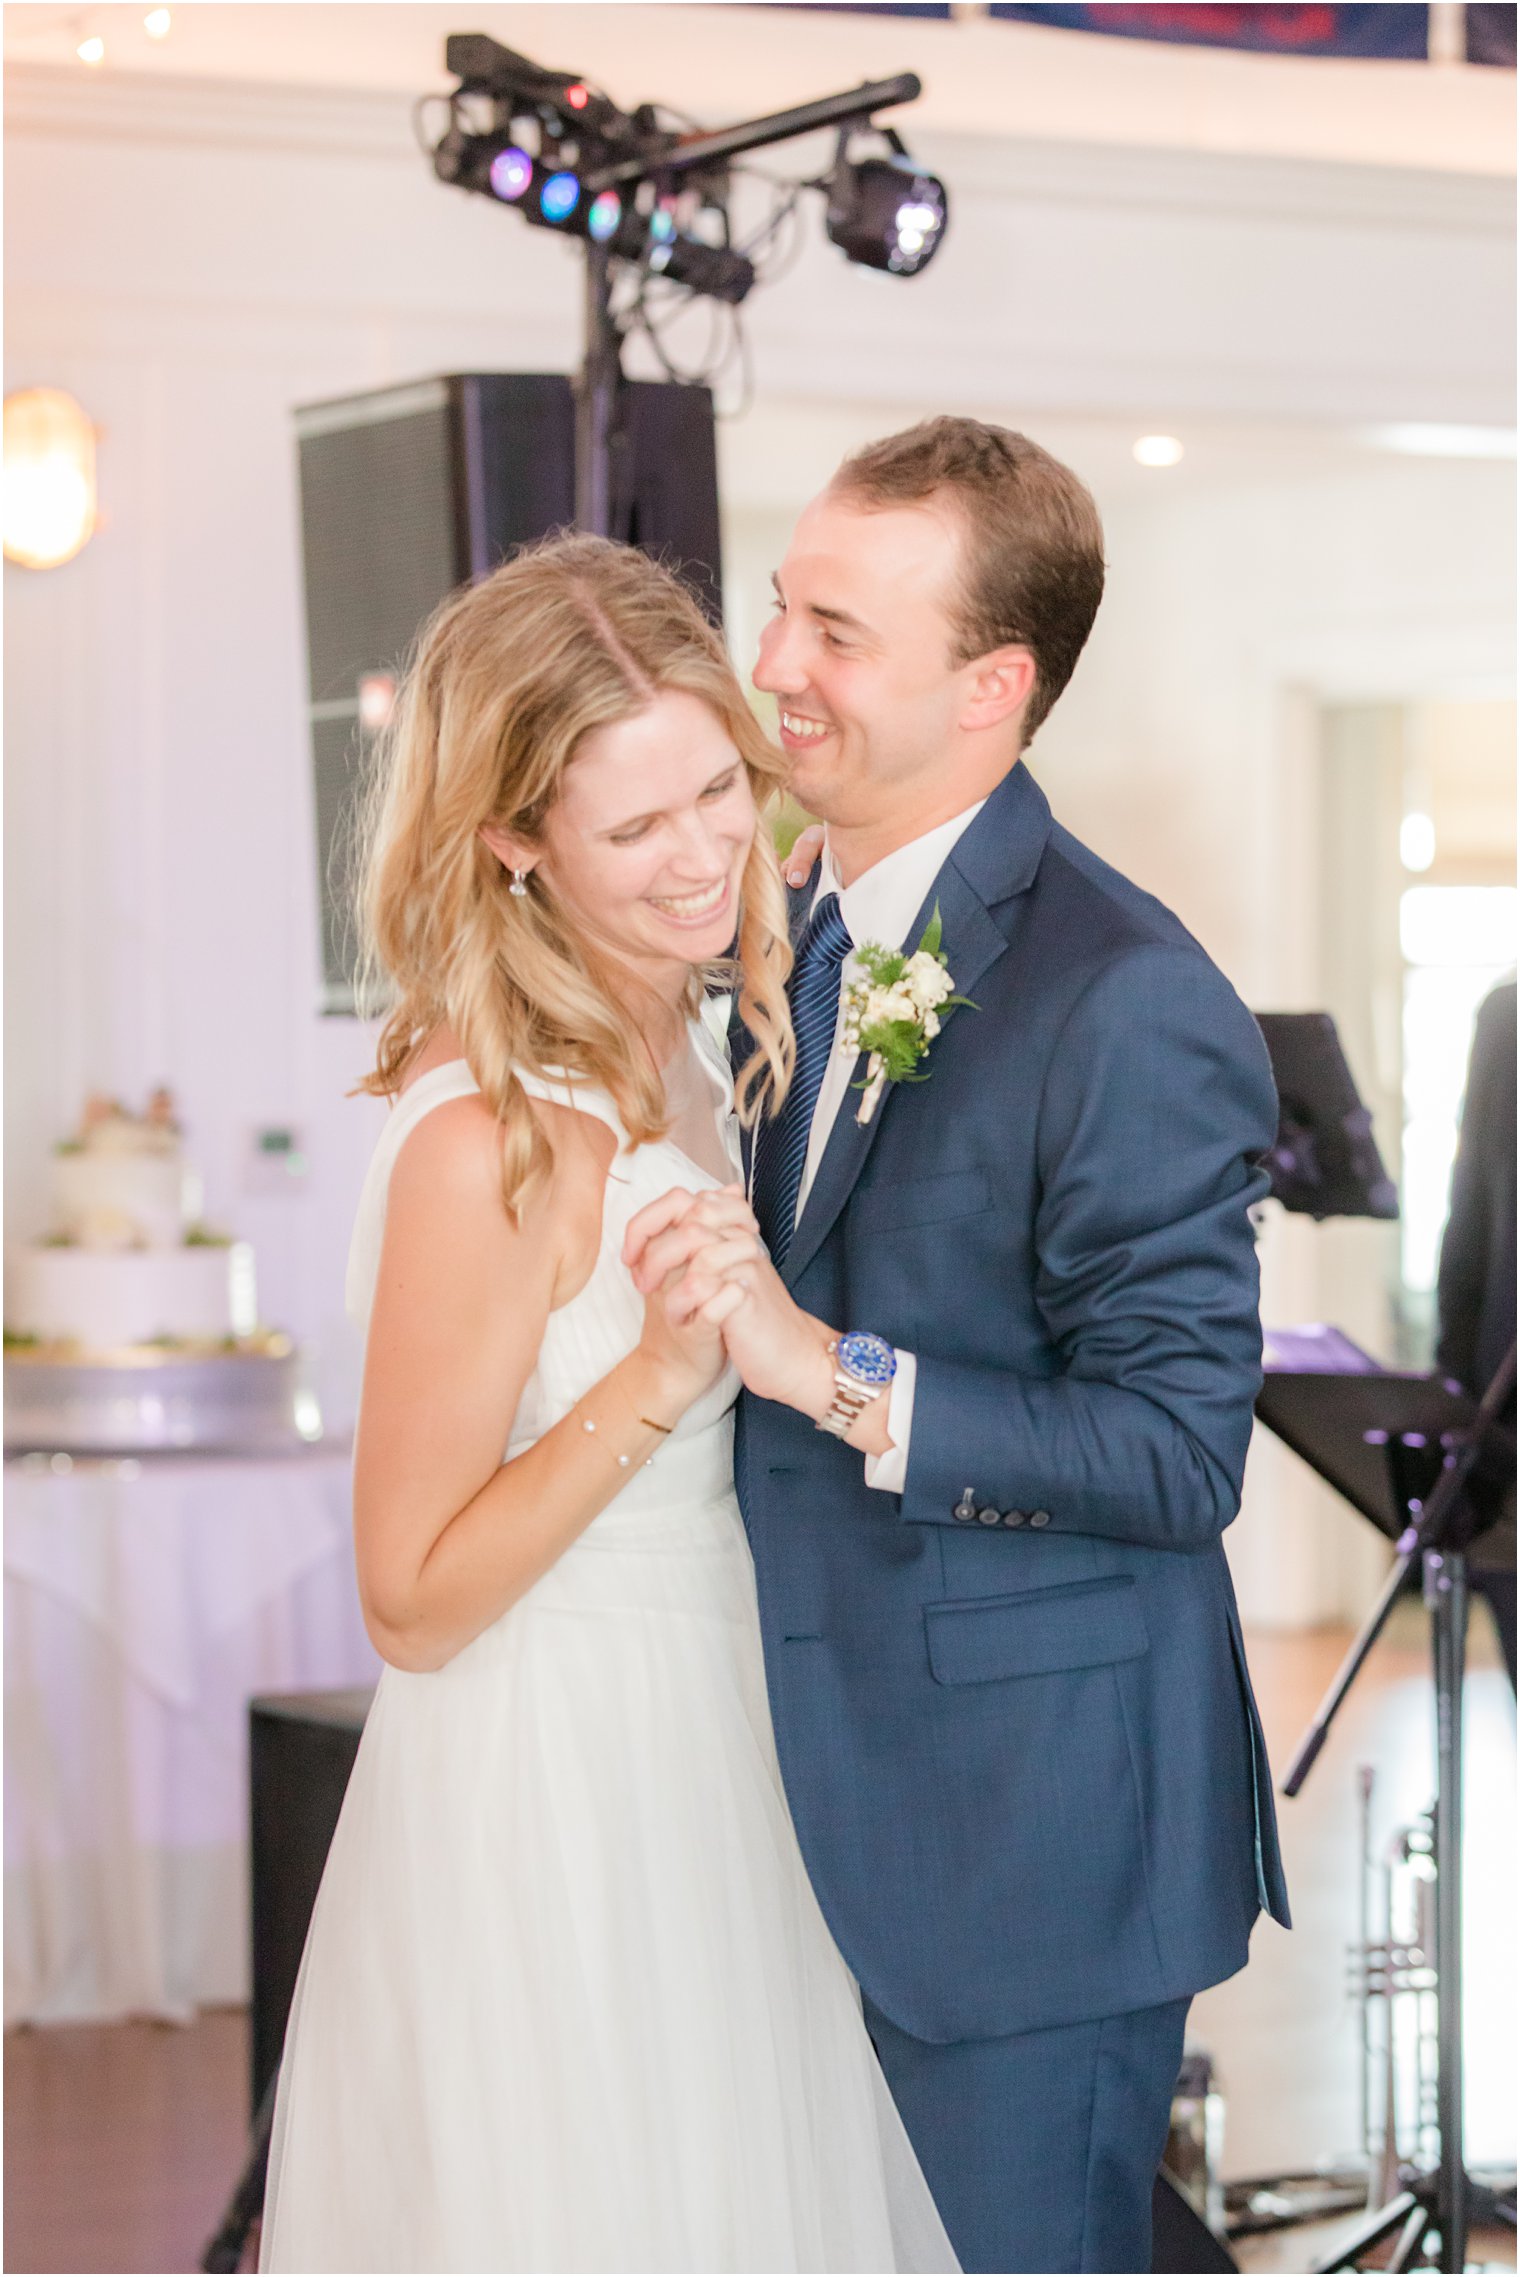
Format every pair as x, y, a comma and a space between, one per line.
568, 1998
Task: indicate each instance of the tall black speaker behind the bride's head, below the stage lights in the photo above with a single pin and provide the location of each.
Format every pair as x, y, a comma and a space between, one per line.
413, 491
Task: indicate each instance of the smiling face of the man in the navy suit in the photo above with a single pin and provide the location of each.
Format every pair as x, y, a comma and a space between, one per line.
882, 721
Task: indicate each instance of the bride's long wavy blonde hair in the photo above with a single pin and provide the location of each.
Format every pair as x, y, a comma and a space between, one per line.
506, 680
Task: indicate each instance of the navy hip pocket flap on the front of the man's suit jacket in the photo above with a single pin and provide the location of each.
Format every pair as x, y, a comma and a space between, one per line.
1087, 1625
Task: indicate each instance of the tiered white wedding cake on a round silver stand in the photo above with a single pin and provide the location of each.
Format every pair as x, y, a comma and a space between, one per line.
133, 1324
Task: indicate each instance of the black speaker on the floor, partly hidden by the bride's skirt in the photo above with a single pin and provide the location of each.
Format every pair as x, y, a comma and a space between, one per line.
301, 1750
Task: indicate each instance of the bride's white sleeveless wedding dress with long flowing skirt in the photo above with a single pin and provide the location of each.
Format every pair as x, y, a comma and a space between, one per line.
568, 1998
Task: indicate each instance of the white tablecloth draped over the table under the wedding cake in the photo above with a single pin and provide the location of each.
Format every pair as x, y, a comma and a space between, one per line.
144, 1606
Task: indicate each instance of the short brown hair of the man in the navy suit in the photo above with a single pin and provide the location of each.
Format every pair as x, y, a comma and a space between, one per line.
1034, 543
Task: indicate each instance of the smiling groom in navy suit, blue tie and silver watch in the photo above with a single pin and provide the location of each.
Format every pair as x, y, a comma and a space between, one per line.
1005, 1657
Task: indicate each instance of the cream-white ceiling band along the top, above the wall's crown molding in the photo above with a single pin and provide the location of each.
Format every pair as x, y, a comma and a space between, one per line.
741, 60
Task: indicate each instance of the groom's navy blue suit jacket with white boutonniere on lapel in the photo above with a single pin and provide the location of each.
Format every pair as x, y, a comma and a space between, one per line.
1021, 1745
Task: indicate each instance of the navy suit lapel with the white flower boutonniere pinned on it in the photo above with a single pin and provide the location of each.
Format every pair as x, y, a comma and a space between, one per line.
993, 862
